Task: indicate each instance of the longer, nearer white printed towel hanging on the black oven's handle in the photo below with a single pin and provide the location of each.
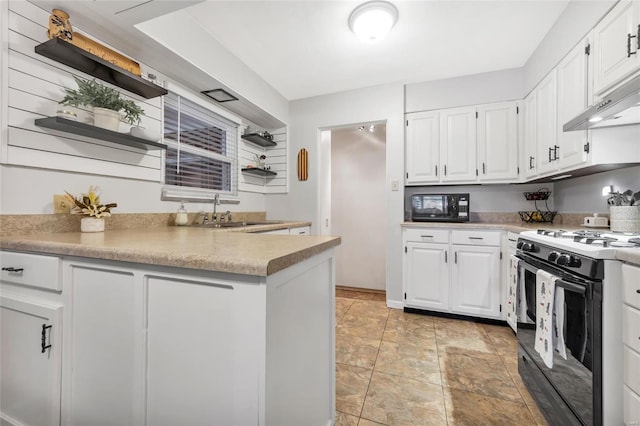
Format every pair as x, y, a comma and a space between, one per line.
545, 292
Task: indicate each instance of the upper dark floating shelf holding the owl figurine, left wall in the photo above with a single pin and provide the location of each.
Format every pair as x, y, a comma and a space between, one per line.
68, 54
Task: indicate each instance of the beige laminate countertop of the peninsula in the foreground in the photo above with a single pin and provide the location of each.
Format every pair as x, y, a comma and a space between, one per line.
183, 247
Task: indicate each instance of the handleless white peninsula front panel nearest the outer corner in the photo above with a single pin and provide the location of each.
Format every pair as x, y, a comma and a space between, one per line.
205, 350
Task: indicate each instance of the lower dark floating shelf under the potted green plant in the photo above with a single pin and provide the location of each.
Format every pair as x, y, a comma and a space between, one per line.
83, 129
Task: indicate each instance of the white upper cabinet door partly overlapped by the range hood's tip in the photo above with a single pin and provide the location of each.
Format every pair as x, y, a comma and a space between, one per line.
572, 100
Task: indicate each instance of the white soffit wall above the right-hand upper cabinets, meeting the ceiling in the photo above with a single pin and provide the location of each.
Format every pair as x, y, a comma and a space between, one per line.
571, 27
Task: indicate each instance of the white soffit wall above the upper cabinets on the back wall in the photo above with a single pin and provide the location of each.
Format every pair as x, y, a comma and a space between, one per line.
474, 89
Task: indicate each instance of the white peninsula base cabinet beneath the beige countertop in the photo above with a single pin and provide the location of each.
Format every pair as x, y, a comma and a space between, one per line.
131, 344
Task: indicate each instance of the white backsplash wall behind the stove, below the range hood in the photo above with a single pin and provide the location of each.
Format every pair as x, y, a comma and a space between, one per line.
584, 194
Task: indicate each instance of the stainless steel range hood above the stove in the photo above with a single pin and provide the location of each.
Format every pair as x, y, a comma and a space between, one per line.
621, 107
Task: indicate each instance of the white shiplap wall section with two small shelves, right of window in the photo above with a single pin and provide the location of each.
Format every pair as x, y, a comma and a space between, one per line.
276, 159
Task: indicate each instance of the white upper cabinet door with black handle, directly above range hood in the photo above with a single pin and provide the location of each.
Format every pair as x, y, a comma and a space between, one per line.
615, 46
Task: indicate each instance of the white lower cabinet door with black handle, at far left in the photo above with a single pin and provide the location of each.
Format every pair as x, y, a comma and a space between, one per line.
30, 375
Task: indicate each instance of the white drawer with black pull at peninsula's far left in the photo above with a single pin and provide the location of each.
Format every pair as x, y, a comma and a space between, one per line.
34, 270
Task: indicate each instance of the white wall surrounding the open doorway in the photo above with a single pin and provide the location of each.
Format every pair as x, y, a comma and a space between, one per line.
308, 117
